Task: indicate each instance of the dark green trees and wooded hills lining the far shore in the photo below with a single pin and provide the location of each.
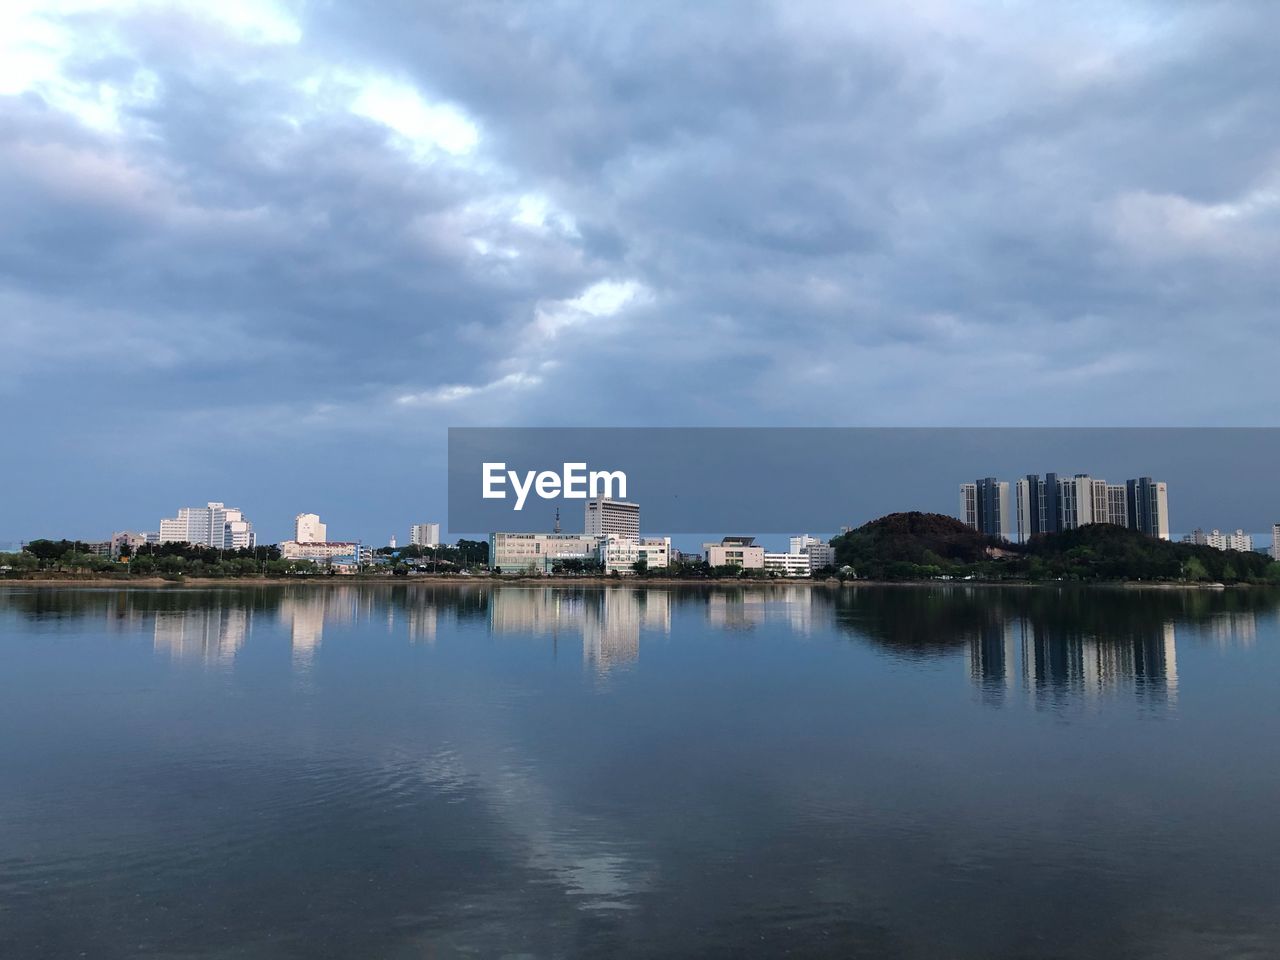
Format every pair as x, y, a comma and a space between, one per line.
900, 548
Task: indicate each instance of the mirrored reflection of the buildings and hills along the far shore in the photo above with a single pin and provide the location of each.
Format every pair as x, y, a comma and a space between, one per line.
1048, 646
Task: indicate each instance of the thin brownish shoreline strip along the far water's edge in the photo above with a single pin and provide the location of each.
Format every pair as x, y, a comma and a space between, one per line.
437, 580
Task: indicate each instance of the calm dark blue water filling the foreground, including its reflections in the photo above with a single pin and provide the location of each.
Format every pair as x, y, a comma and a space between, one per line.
419, 772
